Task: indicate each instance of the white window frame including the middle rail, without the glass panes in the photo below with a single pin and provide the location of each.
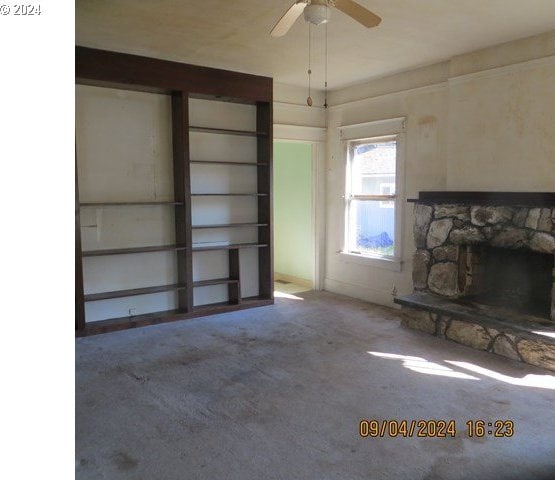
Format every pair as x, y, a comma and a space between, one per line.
351, 136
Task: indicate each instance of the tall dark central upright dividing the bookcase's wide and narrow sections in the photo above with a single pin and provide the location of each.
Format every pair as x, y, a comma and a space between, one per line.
182, 193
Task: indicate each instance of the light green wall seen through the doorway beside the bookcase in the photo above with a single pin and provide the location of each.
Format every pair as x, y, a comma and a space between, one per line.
293, 237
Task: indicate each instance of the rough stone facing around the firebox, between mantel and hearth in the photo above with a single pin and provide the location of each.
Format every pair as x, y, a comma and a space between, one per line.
448, 238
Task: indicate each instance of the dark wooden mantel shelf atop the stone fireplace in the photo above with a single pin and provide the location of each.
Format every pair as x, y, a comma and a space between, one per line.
525, 199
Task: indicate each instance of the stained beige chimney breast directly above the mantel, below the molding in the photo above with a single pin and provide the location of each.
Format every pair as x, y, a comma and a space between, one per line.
502, 130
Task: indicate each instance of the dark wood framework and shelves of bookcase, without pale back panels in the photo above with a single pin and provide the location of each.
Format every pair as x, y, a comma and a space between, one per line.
181, 82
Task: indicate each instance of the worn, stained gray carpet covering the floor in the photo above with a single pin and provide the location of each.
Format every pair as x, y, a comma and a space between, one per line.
277, 393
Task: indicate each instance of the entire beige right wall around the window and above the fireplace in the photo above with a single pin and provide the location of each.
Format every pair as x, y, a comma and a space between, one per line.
480, 121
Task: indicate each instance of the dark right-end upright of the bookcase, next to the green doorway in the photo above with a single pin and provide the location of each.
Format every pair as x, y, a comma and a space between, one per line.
264, 123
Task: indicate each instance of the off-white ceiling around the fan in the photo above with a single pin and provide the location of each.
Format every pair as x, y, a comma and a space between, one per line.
234, 34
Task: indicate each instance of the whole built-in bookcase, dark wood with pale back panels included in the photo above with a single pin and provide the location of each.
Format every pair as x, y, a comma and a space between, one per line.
173, 191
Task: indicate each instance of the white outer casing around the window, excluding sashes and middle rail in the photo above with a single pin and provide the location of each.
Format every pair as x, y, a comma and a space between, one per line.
394, 127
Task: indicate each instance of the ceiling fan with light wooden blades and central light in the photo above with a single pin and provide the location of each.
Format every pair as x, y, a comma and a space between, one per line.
318, 12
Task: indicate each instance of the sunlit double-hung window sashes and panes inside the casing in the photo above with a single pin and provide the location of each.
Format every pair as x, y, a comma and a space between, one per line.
371, 197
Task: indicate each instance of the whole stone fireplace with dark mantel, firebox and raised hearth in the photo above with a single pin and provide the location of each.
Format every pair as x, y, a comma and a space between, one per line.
483, 272
